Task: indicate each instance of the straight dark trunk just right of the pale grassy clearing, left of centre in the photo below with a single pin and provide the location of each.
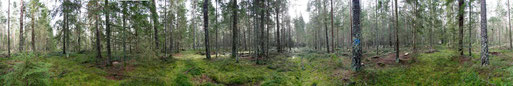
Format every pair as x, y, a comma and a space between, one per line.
205, 27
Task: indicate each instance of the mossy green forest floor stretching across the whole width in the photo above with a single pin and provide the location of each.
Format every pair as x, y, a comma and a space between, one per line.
302, 67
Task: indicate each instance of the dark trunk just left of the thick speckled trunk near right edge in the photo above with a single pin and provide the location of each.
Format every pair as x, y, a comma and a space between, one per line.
461, 11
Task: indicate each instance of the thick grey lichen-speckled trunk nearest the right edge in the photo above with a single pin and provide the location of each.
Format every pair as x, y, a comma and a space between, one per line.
484, 35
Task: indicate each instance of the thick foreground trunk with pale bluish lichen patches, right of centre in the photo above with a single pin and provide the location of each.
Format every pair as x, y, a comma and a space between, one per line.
357, 48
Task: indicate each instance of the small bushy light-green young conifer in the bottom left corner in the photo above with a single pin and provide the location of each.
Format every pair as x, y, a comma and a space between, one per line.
27, 71
